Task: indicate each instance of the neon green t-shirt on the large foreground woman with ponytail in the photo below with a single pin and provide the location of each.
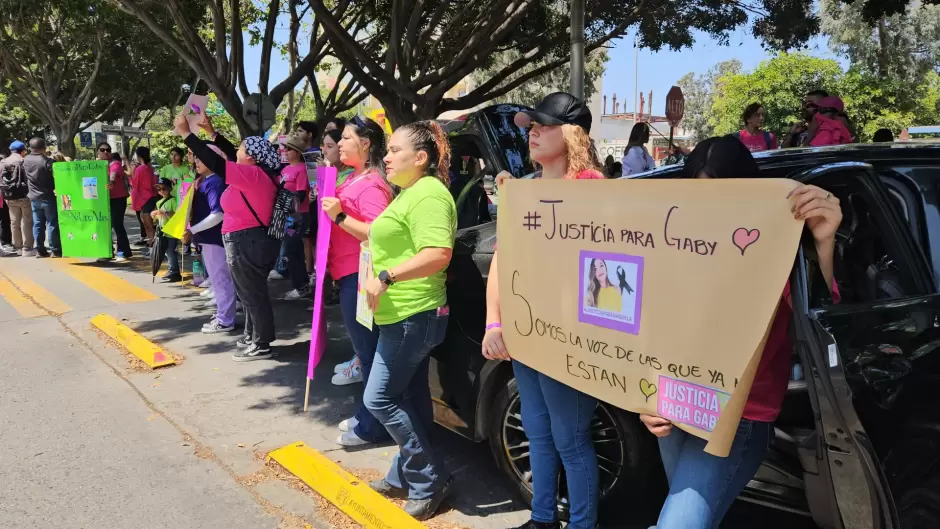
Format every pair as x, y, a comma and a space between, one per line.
422, 216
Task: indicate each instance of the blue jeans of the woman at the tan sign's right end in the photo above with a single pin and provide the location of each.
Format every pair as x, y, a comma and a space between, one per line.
702, 486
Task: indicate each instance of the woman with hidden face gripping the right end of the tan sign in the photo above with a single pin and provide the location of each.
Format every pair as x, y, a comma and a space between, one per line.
702, 486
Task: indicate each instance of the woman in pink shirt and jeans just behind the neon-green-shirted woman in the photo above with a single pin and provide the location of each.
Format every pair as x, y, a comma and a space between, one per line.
361, 198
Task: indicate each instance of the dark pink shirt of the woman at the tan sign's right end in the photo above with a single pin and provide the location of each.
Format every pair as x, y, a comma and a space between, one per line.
773, 373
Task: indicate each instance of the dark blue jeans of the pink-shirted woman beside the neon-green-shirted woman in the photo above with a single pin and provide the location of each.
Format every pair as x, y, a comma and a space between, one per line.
364, 343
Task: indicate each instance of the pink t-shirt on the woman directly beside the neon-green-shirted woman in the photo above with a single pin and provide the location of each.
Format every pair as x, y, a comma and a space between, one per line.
363, 197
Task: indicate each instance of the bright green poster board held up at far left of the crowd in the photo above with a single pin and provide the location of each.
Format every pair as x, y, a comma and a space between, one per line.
84, 208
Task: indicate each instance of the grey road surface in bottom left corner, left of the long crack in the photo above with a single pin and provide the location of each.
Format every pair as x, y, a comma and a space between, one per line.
81, 449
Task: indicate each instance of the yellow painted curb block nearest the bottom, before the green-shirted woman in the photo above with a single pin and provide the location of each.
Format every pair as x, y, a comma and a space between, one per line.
367, 507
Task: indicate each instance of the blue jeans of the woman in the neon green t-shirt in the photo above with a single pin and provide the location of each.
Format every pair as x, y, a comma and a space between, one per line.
399, 396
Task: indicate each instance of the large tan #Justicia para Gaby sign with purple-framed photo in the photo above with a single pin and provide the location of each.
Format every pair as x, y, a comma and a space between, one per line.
654, 296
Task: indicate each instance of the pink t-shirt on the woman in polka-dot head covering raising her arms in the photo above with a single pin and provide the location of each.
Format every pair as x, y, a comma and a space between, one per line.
257, 187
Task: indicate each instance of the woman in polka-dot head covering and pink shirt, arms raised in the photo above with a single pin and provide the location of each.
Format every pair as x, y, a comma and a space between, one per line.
247, 208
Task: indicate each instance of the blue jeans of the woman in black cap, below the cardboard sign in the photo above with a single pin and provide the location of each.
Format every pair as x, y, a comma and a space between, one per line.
557, 421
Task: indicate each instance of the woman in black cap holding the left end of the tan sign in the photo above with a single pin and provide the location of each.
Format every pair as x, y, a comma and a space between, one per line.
555, 416
